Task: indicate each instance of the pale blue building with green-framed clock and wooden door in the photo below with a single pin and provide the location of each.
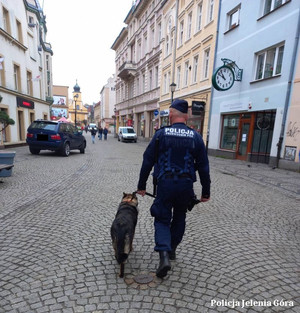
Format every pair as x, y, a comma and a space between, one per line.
247, 121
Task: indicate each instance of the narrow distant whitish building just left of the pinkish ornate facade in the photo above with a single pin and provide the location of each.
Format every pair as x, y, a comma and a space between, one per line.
108, 100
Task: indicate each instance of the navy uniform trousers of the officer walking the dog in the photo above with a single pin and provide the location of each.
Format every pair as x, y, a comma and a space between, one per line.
169, 211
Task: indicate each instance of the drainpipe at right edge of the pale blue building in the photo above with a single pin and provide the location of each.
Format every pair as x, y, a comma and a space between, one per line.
288, 92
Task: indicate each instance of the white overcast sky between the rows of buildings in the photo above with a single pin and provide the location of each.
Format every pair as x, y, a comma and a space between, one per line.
81, 33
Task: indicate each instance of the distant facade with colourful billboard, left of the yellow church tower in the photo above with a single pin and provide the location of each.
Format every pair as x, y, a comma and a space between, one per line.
60, 106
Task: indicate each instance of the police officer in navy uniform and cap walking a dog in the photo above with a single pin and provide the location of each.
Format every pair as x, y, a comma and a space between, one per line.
176, 152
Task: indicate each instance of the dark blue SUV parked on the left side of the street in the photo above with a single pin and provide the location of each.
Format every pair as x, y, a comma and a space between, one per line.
55, 136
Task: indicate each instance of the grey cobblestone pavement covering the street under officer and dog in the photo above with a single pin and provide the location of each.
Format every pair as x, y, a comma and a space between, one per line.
240, 252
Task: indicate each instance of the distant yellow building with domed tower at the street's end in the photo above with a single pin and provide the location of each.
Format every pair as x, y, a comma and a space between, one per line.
78, 113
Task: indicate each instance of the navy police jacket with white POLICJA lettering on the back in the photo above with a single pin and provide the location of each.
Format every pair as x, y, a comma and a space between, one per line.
176, 151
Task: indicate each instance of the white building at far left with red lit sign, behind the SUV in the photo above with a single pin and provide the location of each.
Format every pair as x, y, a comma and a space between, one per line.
25, 67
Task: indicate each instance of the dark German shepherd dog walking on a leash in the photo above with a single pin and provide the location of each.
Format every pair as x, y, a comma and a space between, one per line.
123, 228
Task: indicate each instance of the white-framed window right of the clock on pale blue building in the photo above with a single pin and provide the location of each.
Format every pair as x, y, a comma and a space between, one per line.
269, 62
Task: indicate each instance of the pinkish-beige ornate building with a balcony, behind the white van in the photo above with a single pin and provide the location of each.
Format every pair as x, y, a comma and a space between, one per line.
138, 72
